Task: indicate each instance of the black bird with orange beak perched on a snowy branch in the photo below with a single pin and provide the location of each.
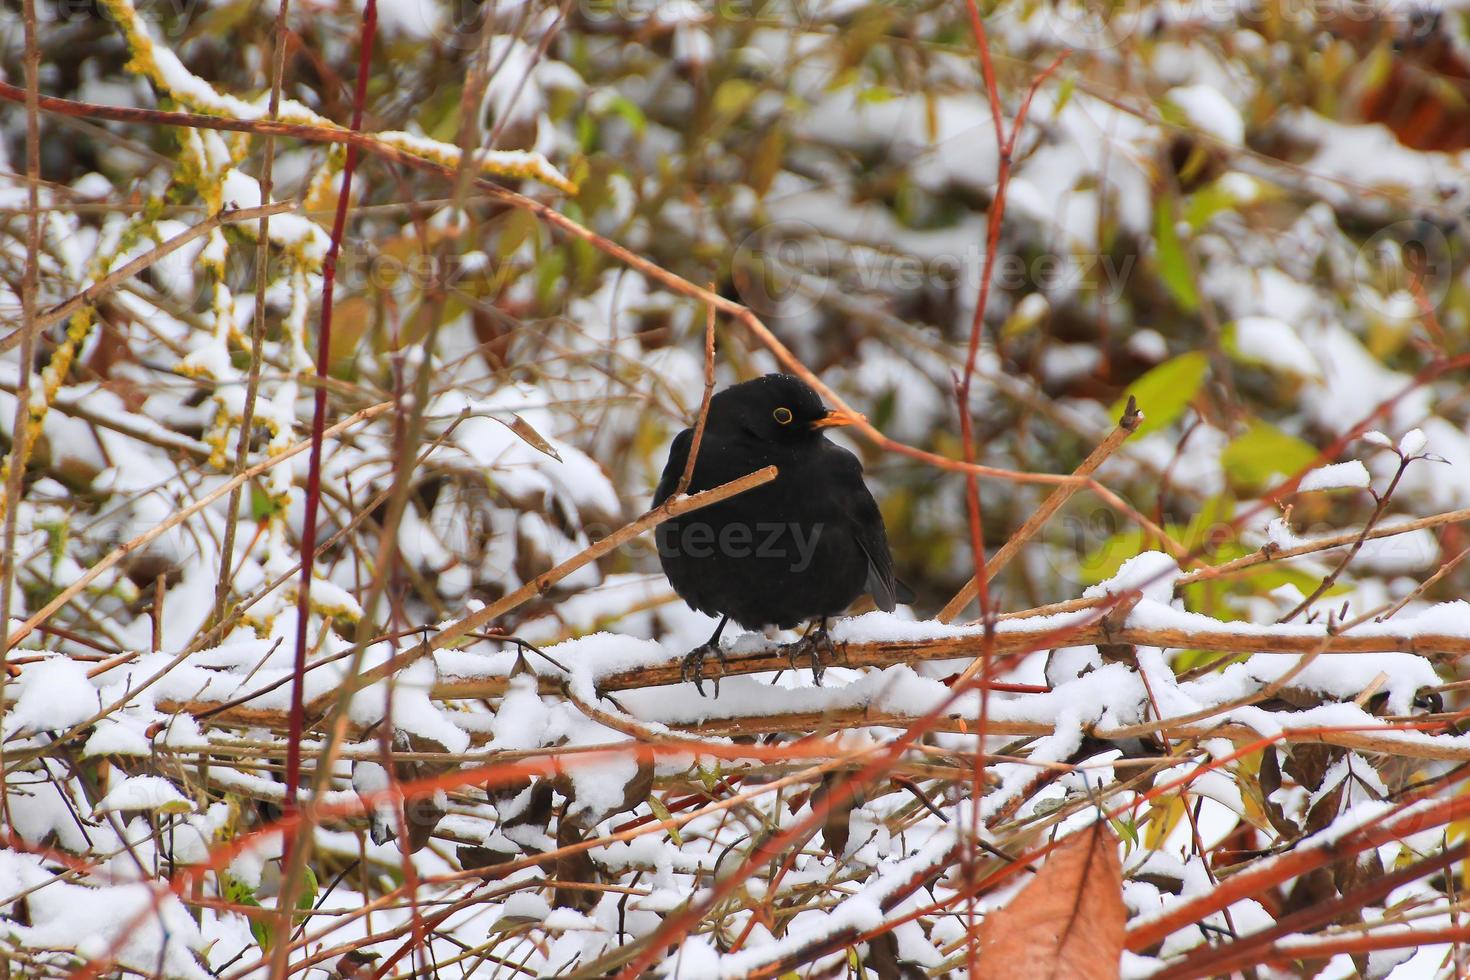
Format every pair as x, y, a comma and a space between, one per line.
799, 549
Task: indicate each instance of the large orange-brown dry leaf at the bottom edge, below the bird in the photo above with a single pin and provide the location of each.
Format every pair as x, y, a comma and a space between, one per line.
1066, 925
